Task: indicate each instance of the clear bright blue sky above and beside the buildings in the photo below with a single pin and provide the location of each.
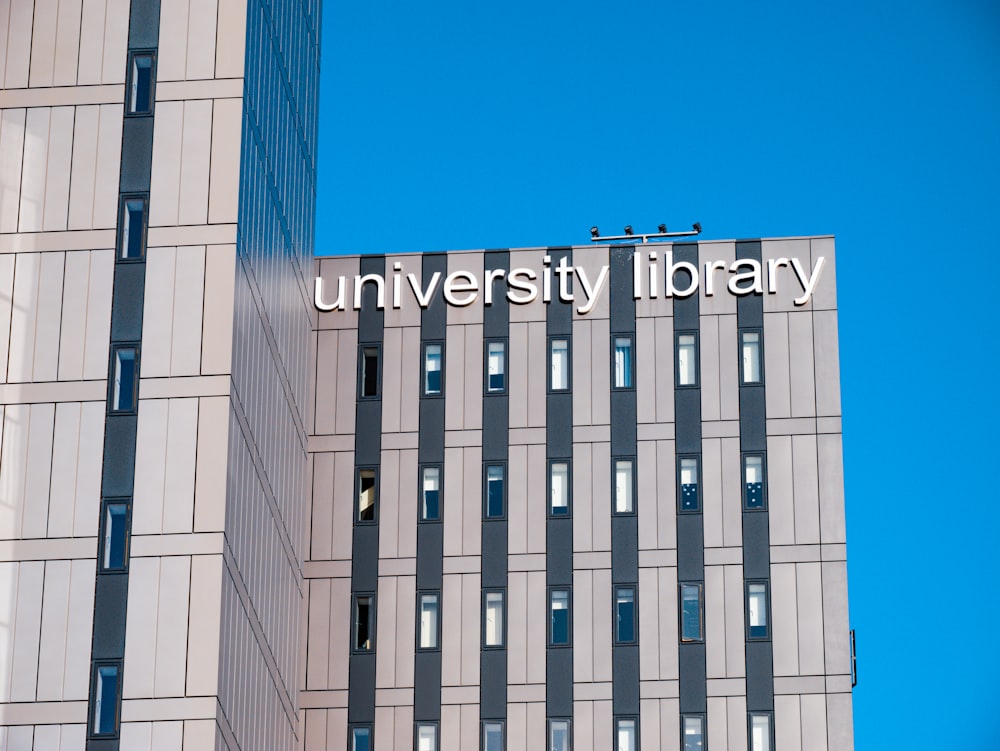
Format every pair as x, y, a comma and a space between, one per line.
450, 124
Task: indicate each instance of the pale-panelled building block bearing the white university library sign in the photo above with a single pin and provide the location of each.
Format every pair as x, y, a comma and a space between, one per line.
578, 498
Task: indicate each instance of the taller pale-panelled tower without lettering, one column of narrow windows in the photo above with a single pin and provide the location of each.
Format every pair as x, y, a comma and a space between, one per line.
157, 192
